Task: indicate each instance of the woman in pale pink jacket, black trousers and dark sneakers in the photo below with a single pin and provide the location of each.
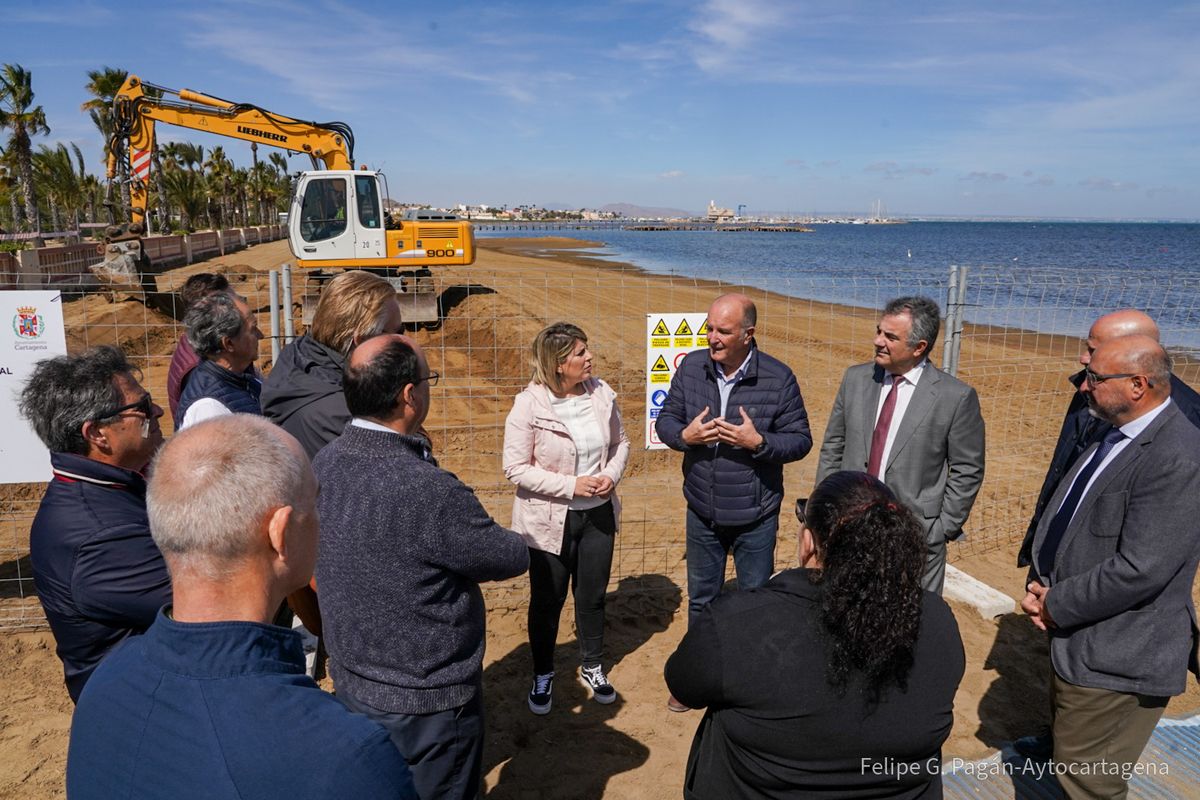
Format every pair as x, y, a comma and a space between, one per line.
566, 449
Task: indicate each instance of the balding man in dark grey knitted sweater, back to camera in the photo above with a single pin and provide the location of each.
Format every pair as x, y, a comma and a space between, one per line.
404, 548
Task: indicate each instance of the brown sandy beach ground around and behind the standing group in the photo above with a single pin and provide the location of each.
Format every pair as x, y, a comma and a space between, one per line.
634, 748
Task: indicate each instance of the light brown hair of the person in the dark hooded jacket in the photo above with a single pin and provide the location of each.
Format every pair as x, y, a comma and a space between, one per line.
351, 308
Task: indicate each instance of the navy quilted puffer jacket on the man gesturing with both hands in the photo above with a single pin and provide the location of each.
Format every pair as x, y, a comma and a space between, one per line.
725, 485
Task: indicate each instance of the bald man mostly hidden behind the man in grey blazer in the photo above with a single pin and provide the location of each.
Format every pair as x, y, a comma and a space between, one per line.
1081, 428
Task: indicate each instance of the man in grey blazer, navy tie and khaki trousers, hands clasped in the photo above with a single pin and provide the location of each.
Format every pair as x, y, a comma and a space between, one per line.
1113, 570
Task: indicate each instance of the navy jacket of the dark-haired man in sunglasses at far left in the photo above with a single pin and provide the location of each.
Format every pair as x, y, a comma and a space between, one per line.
99, 575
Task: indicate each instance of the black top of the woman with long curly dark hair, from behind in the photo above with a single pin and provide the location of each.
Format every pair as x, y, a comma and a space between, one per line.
757, 660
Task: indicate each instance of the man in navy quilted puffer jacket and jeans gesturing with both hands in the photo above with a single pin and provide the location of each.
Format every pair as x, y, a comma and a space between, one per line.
739, 417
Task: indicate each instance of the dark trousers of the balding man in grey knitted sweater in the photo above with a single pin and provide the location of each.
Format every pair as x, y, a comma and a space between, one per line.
445, 750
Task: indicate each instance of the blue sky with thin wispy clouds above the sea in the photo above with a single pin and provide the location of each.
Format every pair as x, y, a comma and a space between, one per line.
985, 110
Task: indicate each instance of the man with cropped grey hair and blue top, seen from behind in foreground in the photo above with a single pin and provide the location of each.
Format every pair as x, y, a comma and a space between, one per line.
213, 701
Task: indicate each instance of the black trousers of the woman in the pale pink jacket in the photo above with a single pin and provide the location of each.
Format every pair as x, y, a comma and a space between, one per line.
586, 562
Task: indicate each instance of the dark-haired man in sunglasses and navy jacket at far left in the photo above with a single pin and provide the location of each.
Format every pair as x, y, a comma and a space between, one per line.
99, 575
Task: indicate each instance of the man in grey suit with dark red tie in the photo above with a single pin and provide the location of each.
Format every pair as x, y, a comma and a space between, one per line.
911, 425
